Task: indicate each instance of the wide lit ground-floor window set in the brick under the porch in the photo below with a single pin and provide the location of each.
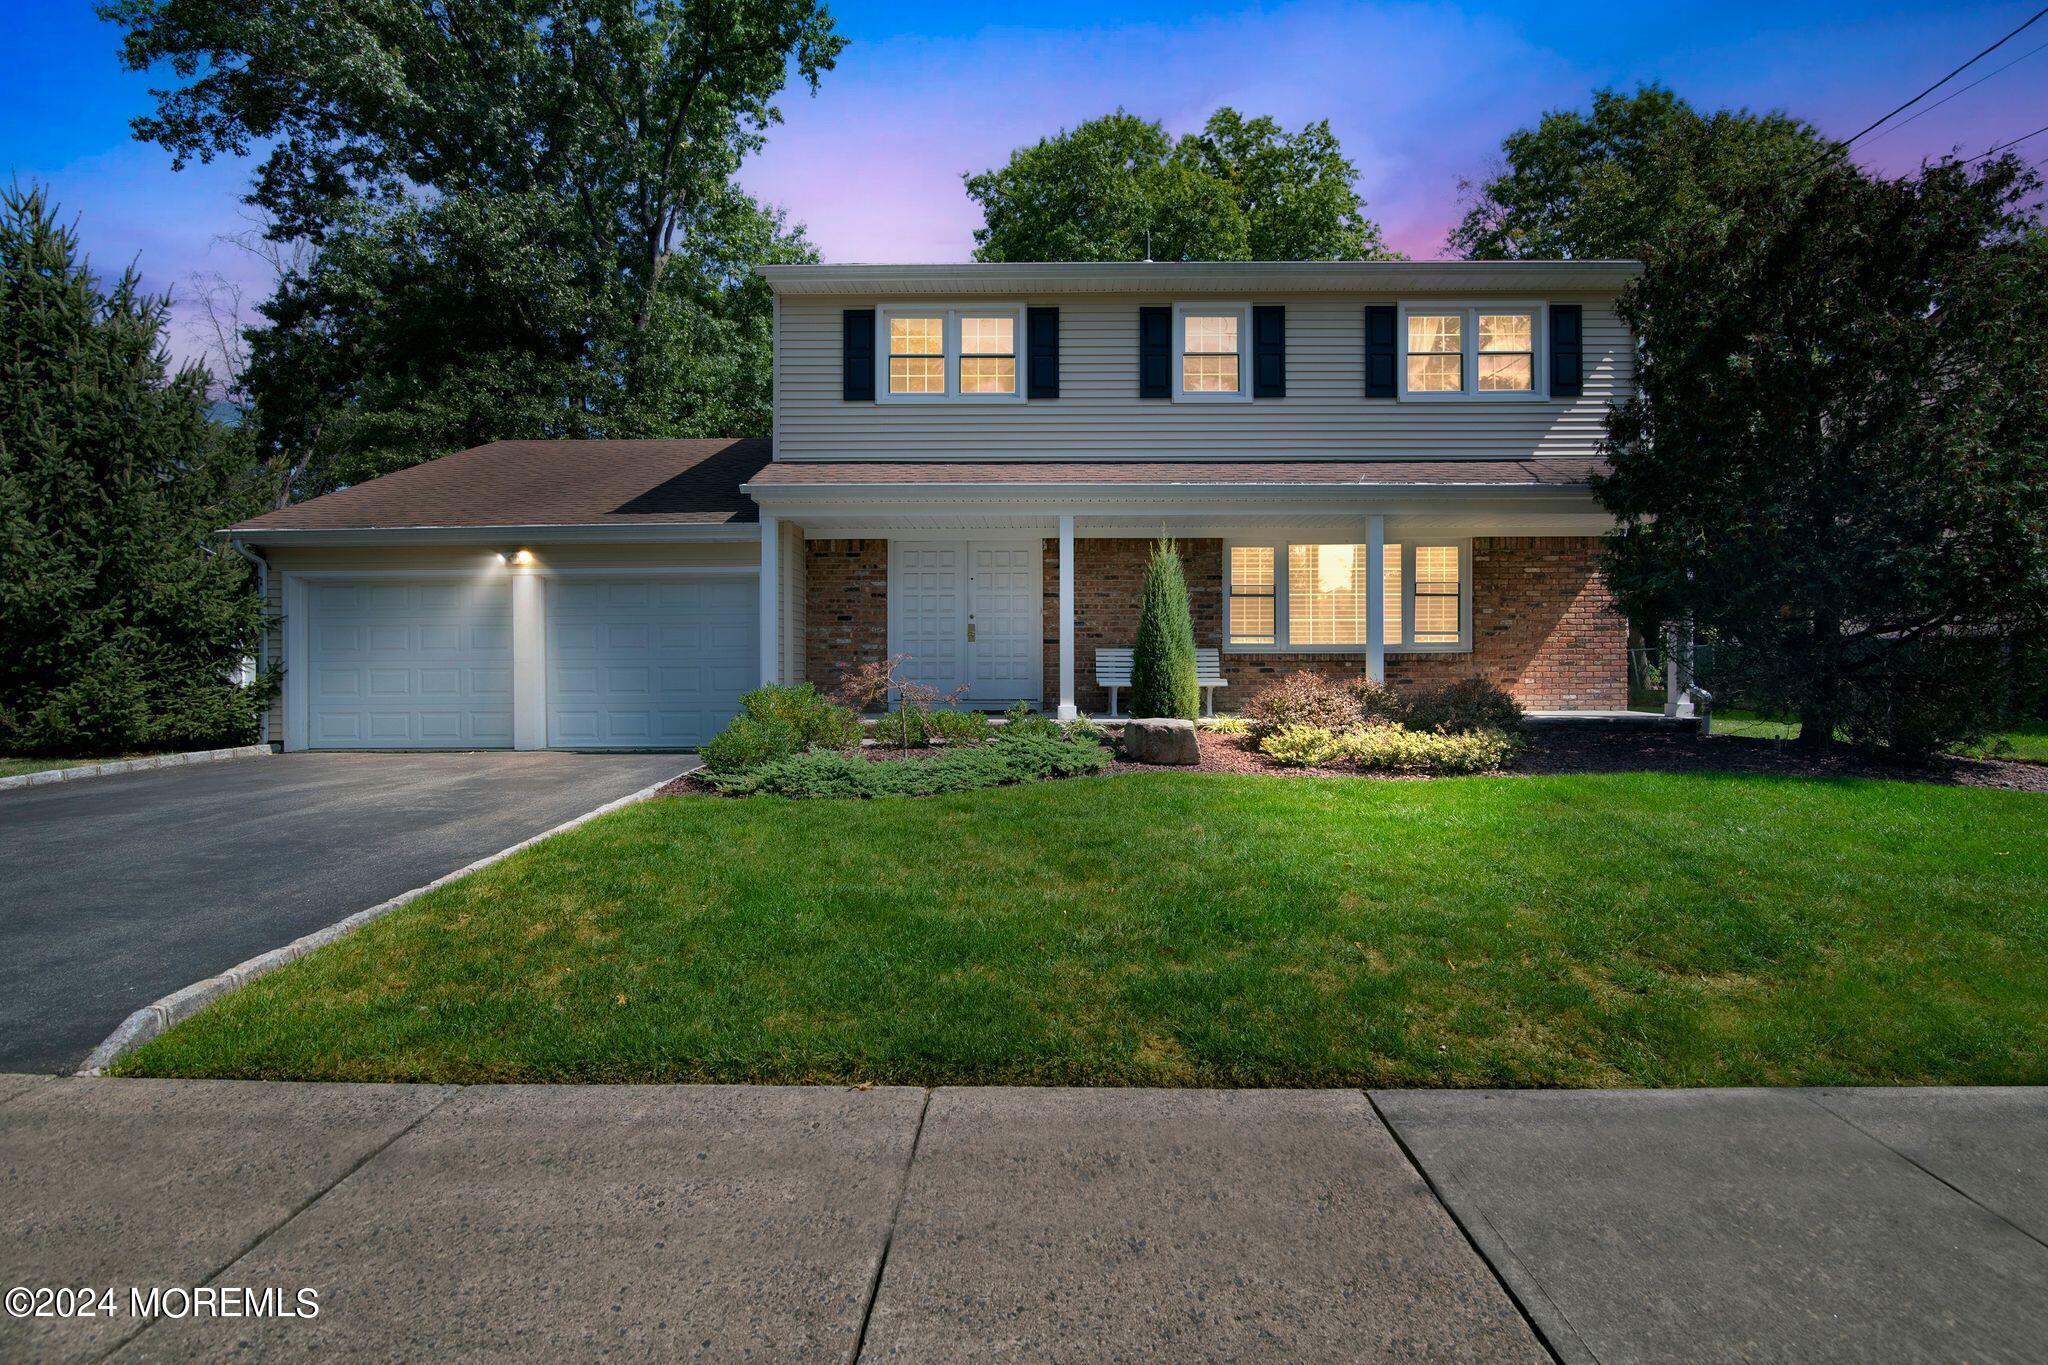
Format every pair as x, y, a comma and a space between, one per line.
1314, 599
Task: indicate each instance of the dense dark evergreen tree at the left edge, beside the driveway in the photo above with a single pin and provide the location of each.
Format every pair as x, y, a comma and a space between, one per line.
122, 625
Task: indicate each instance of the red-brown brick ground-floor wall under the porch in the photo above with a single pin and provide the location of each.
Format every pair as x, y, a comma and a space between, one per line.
1543, 621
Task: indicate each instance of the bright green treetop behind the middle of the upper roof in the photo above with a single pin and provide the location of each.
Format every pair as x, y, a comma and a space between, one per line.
1242, 189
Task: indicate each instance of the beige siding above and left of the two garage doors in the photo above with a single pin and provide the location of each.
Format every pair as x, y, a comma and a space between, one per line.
482, 562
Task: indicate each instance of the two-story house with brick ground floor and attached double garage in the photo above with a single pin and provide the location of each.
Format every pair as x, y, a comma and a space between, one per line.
1373, 470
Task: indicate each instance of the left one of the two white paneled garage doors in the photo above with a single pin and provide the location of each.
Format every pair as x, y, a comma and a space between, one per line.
409, 664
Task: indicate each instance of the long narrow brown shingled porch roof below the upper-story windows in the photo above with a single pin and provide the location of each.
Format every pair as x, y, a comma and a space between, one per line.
1547, 472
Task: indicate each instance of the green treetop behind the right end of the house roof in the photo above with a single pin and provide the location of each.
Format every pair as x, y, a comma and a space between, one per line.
1619, 181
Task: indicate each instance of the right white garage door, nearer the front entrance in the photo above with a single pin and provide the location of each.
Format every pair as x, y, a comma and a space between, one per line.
648, 664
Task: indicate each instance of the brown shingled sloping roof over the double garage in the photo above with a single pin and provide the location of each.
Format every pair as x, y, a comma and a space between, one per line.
548, 484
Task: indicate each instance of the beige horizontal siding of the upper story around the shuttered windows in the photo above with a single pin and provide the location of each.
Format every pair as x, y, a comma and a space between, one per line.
1099, 412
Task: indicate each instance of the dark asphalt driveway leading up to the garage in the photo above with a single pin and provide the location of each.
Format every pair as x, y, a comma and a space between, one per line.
120, 891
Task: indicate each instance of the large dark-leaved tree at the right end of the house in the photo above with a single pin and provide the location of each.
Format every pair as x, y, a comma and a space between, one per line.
1838, 453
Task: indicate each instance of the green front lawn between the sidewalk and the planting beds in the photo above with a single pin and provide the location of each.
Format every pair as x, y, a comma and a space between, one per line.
1193, 930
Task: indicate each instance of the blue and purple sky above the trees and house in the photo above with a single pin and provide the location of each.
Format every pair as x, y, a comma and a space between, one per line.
927, 93
